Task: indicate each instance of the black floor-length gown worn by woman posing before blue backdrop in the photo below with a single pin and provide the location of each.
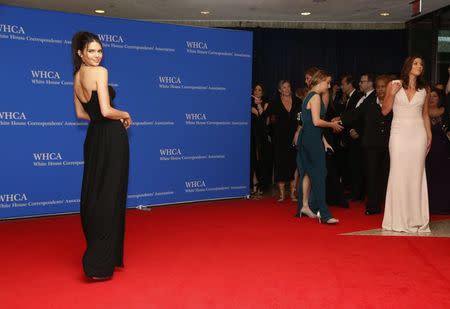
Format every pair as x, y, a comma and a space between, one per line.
104, 191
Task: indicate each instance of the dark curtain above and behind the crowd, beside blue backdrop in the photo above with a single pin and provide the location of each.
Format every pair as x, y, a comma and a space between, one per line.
287, 53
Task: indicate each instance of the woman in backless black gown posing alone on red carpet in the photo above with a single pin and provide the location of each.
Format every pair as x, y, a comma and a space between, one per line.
106, 155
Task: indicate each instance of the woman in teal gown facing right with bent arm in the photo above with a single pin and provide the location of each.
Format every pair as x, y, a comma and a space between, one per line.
311, 159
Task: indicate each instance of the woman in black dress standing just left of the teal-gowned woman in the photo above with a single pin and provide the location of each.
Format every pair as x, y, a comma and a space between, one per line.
283, 112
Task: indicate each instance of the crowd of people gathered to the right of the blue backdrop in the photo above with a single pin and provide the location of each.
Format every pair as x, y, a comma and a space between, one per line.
342, 141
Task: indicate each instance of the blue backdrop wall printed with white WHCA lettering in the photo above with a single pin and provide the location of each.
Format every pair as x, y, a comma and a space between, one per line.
186, 88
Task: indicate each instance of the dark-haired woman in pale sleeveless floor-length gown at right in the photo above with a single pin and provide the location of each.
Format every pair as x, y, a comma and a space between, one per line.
406, 207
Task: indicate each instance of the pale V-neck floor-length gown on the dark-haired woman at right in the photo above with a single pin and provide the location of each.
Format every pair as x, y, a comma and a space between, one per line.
406, 208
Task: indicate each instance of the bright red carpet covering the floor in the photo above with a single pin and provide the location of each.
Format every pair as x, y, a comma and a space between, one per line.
228, 254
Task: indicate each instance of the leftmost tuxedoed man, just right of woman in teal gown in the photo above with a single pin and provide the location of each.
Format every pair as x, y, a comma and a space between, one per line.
349, 156
